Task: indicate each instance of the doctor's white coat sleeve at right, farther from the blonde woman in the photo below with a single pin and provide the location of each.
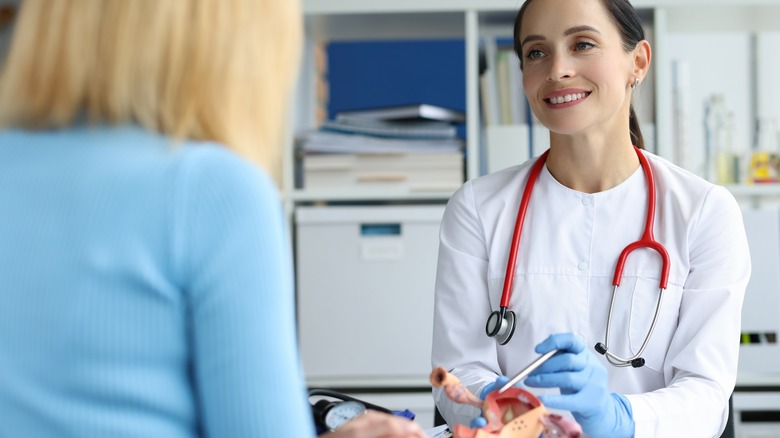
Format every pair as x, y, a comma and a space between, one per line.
701, 364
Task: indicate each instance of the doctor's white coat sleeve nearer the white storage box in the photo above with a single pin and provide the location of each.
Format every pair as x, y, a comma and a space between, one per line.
462, 305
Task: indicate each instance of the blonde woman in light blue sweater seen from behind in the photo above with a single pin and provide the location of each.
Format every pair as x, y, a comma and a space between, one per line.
145, 281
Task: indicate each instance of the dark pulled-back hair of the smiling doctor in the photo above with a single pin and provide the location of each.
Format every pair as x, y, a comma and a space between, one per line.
628, 24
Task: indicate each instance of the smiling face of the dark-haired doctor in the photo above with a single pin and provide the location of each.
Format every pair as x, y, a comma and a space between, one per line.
576, 72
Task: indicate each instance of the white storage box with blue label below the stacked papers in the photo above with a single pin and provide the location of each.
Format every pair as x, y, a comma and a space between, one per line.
365, 293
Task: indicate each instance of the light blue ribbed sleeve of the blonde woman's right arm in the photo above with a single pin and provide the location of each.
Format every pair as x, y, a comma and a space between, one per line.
236, 273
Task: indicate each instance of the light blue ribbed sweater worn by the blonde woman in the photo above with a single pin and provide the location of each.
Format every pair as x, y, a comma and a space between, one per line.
145, 291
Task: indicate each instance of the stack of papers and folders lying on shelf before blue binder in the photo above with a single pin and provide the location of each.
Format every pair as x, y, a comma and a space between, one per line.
354, 152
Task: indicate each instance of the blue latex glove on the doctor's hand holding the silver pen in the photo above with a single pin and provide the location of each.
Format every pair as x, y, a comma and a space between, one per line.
582, 380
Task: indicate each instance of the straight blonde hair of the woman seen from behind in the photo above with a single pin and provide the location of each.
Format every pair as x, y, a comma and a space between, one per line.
218, 70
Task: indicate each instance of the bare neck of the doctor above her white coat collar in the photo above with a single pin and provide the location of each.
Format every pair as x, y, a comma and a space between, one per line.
591, 166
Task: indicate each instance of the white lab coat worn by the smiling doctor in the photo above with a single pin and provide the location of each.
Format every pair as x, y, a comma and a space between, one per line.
563, 283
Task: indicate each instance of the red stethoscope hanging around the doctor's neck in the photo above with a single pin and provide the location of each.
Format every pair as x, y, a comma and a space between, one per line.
501, 323
